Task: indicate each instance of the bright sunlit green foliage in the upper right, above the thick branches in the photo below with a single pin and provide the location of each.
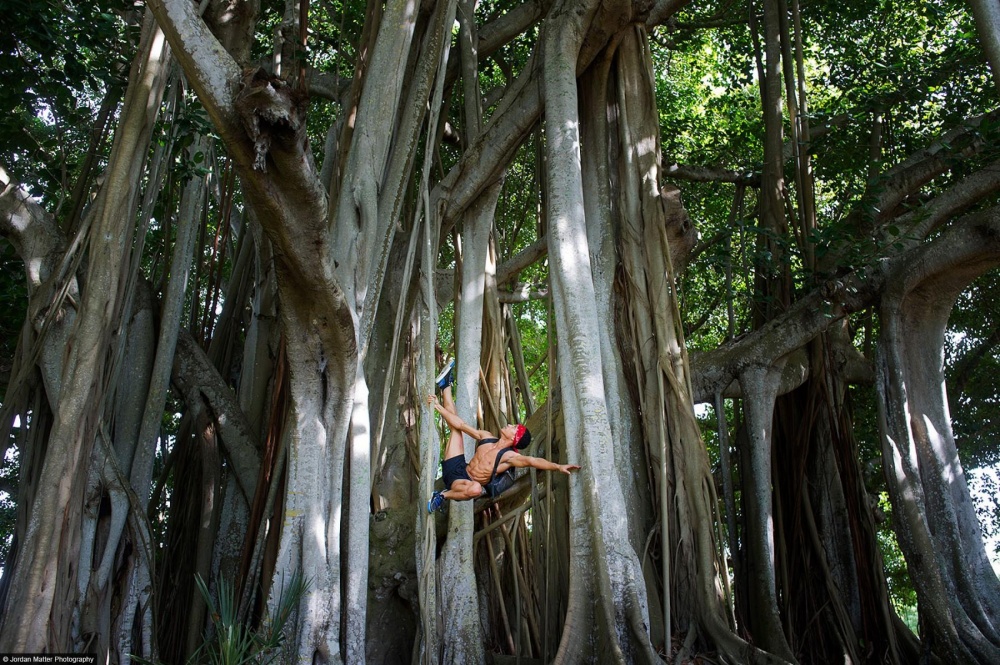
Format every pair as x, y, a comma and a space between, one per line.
920, 77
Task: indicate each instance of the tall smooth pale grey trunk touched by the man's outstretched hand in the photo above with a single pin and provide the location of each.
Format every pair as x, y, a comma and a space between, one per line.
599, 537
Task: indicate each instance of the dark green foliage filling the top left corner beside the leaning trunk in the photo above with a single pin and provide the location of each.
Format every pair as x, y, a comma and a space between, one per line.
60, 58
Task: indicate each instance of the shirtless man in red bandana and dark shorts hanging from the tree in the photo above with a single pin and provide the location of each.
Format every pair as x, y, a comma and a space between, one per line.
485, 473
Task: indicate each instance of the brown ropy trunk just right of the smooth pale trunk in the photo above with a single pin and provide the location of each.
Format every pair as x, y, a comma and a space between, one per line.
655, 231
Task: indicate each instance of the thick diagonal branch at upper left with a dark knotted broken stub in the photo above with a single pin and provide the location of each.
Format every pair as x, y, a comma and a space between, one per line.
262, 123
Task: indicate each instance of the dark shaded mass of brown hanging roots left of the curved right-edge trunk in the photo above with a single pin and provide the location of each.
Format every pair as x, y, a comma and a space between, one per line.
830, 561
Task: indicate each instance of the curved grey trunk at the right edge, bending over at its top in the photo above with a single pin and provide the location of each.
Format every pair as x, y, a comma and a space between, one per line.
958, 593
